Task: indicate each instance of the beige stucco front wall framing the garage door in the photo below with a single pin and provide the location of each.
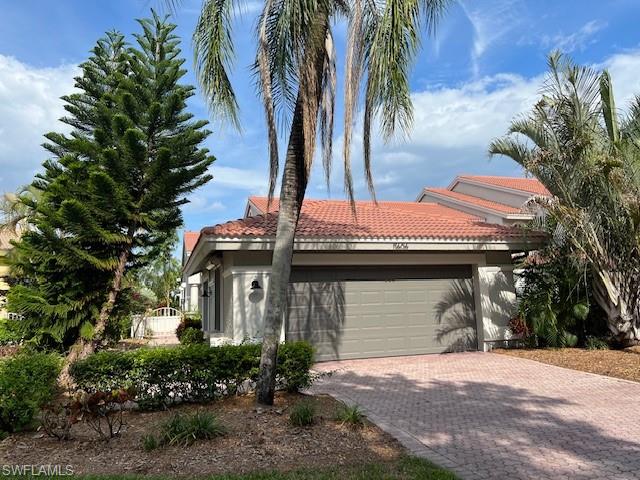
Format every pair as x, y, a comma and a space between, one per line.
243, 308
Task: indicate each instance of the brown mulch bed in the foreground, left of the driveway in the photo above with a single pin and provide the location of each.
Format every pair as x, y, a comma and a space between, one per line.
257, 440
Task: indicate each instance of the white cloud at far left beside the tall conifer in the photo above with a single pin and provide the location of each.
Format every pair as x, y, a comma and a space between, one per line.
30, 106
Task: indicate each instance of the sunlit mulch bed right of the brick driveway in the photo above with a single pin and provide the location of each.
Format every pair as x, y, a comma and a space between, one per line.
623, 364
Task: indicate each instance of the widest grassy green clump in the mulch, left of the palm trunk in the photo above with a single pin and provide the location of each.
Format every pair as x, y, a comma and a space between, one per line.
185, 429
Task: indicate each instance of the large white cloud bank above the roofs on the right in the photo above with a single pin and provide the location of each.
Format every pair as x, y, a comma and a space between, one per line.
453, 128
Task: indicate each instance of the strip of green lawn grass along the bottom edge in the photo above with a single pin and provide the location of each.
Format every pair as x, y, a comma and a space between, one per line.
405, 468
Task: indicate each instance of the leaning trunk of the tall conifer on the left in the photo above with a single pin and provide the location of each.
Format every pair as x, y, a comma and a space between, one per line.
82, 348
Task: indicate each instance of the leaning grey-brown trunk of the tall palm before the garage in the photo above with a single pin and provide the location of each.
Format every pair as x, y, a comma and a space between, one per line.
294, 185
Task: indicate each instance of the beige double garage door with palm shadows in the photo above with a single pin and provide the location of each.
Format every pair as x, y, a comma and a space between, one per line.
359, 319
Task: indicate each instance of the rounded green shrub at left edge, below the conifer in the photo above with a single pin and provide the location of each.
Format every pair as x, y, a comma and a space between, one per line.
27, 382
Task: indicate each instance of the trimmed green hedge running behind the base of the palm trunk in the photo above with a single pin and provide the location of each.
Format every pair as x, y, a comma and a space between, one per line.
190, 373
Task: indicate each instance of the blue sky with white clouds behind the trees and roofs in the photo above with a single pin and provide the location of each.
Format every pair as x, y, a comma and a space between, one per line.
484, 67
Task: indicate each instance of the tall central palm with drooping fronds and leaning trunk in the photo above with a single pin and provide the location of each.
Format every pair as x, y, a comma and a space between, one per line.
296, 75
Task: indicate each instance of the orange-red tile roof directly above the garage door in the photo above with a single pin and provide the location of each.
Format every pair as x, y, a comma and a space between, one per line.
333, 218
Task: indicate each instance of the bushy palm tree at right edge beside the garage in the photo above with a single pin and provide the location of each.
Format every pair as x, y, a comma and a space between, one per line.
588, 156
